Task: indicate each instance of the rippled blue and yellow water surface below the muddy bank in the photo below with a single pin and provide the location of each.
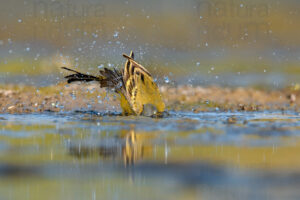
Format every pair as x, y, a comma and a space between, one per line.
213, 155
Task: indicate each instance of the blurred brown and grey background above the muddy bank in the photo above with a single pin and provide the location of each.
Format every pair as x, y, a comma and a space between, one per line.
200, 42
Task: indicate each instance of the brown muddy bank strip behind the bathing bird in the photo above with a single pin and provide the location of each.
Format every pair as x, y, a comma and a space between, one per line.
62, 97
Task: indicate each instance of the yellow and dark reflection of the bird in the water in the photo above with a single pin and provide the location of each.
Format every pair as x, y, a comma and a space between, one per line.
128, 148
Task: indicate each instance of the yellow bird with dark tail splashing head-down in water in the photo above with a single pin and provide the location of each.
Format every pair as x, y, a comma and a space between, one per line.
138, 92
